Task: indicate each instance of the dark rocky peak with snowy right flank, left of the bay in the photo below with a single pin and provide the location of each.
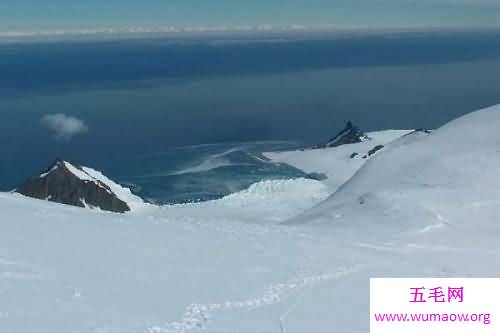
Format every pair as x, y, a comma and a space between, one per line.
78, 186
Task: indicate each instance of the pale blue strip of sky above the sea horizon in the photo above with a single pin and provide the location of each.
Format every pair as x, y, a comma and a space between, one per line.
62, 15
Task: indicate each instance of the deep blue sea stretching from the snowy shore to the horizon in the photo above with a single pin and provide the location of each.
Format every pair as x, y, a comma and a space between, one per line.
186, 119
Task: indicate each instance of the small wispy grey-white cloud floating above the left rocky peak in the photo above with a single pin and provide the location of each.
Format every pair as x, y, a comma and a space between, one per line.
64, 127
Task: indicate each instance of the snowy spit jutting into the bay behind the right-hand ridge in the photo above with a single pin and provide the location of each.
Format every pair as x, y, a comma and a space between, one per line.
336, 162
